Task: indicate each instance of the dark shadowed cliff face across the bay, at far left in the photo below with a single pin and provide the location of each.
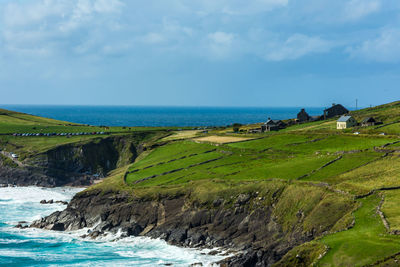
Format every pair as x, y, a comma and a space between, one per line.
73, 164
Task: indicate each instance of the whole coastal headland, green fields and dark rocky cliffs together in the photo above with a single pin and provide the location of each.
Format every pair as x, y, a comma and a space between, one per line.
306, 194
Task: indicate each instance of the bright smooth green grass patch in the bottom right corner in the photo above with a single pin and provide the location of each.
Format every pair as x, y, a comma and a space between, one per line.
366, 243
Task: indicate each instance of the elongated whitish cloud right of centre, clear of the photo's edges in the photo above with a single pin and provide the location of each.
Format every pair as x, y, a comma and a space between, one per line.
296, 46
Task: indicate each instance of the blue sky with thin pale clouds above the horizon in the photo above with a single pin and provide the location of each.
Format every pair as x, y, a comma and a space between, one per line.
263, 53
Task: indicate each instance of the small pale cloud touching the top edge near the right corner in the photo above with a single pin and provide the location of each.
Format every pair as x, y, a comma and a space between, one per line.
357, 9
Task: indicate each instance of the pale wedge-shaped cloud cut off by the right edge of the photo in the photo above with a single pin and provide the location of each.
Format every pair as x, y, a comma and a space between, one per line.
384, 48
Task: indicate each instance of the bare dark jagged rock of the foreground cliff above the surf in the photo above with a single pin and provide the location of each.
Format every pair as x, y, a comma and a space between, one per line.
244, 225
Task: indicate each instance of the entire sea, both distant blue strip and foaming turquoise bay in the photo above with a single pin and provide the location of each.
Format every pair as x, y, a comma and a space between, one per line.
35, 247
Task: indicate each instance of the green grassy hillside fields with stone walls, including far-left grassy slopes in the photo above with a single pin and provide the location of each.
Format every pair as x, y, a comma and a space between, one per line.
358, 174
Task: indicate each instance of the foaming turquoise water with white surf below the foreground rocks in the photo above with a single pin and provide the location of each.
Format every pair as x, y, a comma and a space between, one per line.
35, 247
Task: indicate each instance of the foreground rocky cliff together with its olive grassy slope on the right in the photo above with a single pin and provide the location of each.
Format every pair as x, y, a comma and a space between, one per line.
262, 222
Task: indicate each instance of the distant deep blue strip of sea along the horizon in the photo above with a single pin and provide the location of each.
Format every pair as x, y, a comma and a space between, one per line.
160, 116
